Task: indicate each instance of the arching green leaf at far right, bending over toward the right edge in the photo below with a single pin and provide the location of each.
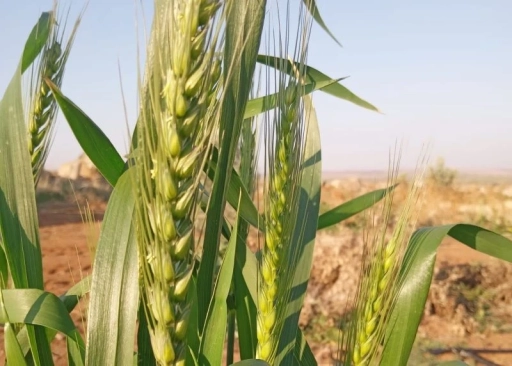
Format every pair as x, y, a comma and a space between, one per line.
416, 277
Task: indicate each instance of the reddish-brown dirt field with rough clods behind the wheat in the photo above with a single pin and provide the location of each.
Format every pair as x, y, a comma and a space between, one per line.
470, 302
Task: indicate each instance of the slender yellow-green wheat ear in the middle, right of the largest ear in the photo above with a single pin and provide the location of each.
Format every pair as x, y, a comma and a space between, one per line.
285, 152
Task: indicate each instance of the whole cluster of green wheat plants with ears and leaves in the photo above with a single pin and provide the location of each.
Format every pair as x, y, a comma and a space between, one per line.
163, 290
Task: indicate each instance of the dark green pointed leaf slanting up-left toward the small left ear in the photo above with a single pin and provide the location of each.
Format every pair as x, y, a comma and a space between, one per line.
91, 138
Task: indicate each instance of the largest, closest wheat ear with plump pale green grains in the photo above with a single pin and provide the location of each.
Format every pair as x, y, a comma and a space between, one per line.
173, 140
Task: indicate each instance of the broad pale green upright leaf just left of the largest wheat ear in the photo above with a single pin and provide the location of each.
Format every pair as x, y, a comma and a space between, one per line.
115, 284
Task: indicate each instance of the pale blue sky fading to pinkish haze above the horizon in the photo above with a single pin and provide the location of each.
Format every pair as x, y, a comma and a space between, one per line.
439, 70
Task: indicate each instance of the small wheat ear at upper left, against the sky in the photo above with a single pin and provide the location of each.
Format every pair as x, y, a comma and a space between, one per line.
42, 109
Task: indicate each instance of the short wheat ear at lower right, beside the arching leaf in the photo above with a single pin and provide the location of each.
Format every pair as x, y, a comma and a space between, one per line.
380, 282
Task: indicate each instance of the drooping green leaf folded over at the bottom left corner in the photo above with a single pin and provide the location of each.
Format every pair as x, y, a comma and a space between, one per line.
37, 307
